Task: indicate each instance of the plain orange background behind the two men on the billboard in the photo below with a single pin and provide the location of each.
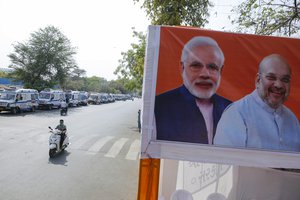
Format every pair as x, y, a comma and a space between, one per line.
242, 52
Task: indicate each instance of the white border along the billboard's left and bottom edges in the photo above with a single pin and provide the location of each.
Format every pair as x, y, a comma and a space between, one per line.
152, 148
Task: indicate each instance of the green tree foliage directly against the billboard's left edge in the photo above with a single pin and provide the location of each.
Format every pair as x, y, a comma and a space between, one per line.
131, 66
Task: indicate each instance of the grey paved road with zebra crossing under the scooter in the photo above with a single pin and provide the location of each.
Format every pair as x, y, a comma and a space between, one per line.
101, 162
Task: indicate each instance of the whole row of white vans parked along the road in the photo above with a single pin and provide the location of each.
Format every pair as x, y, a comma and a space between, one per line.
20, 100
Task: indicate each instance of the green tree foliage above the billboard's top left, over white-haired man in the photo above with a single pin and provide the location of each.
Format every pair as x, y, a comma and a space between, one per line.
177, 12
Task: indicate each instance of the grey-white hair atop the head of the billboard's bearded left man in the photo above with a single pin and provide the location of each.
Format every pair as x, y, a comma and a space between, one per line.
200, 41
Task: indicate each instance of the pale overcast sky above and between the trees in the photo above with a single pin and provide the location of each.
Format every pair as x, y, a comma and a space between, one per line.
100, 30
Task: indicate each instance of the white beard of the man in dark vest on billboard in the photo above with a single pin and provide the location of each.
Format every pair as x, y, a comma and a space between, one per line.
203, 94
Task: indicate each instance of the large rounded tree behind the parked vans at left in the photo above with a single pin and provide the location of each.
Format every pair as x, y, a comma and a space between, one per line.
45, 60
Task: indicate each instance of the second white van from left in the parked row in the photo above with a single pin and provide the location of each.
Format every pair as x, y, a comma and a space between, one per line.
49, 98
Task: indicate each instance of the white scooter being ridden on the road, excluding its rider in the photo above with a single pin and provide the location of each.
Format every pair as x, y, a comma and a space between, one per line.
54, 142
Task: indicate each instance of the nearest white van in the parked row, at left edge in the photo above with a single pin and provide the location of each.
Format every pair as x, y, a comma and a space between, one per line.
19, 100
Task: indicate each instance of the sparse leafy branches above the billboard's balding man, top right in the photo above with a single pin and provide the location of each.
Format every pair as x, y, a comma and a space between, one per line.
269, 17
